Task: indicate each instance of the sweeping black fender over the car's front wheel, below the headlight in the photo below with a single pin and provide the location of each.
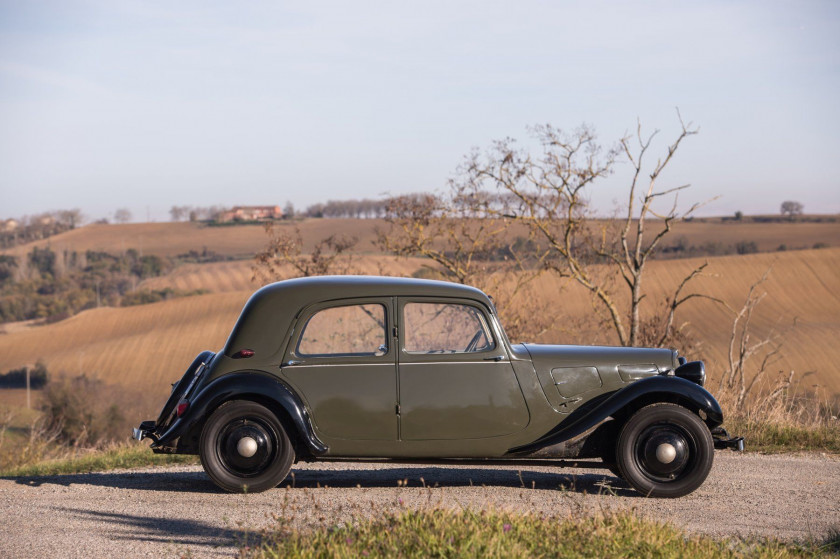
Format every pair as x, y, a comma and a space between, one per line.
643, 392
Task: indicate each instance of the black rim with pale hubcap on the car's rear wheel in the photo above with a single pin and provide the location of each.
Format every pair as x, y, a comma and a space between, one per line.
247, 446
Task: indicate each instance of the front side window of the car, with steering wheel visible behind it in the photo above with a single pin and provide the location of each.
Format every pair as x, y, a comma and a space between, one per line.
445, 328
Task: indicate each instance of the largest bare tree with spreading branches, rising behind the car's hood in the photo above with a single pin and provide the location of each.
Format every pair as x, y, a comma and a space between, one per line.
549, 194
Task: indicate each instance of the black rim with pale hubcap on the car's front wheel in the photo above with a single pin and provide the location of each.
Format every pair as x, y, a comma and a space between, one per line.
663, 452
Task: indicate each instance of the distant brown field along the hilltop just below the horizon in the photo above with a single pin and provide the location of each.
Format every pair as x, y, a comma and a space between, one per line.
171, 239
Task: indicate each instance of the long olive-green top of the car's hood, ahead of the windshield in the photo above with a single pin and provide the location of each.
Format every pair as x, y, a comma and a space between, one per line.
654, 360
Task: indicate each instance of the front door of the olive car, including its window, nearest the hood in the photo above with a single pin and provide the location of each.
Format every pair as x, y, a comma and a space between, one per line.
455, 377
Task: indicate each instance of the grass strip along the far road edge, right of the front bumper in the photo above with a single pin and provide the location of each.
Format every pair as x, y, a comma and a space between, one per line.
775, 438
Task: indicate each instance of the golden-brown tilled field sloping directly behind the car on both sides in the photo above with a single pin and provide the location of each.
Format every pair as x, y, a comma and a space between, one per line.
150, 345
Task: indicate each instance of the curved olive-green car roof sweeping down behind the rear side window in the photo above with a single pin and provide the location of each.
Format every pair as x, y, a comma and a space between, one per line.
270, 311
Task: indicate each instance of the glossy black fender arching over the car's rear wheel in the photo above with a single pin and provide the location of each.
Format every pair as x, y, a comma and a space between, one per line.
251, 385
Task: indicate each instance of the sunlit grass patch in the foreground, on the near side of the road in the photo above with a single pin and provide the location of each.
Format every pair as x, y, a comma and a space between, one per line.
442, 533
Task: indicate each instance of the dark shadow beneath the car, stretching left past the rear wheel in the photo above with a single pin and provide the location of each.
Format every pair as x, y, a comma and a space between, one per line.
358, 476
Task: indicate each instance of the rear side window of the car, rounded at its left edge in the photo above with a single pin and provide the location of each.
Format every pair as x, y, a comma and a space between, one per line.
345, 331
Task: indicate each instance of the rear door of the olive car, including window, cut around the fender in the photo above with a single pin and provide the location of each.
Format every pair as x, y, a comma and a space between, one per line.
342, 362
